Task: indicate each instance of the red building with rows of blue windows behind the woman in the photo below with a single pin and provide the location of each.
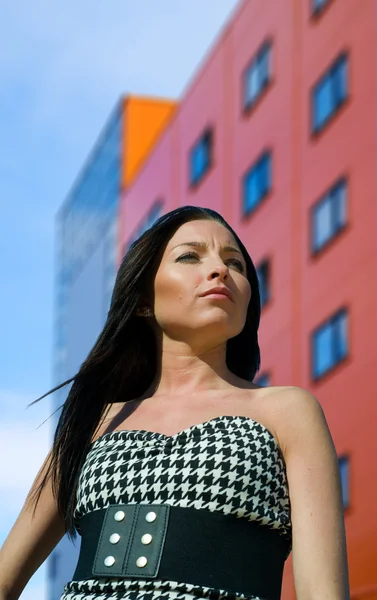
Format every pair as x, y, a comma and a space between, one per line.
278, 132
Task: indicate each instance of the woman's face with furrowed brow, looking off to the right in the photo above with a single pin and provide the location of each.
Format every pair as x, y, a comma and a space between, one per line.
186, 273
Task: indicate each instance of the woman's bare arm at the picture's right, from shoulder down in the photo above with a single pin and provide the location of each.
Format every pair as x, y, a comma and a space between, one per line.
319, 541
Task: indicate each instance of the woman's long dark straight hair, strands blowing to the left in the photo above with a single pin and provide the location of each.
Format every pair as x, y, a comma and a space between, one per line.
122, 363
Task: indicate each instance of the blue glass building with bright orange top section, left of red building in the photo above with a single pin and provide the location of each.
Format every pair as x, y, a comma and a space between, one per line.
86, 257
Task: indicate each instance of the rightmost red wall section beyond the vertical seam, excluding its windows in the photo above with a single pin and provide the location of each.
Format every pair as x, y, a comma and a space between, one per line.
345, 273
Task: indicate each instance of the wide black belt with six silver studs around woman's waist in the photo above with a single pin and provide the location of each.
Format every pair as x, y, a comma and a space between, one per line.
201, 547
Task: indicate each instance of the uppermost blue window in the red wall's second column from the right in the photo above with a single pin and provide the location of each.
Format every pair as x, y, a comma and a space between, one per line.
257, 76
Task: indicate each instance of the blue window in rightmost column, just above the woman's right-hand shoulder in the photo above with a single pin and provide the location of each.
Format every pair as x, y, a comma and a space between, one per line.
330, 344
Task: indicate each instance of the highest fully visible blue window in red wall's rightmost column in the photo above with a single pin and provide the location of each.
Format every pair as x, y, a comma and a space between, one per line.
330, 93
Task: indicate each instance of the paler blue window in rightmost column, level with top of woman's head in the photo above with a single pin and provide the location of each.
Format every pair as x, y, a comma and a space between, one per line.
329, 215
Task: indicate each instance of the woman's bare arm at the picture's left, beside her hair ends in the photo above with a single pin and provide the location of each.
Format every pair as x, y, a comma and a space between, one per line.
30, 541
